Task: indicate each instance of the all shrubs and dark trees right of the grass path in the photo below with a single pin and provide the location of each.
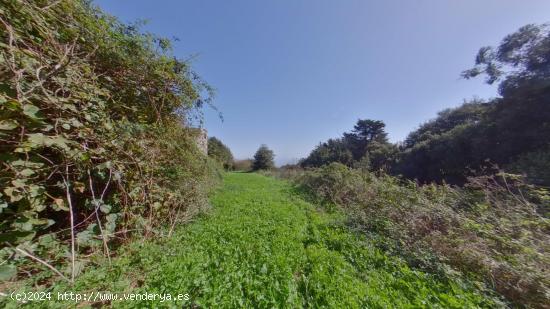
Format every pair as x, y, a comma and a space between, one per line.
494, 228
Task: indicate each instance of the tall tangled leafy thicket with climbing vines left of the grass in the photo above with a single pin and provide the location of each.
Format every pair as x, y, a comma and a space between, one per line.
94, 142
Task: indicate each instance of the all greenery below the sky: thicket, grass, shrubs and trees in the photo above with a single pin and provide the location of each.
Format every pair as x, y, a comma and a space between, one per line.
96, 147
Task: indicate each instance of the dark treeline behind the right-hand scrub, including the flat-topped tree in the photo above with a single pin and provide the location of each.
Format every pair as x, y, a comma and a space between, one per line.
511, 132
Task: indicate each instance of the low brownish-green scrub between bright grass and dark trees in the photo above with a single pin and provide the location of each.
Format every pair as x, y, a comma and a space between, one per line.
491, 230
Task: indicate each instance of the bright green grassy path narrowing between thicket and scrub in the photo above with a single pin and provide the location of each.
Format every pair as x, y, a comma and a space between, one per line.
263, 246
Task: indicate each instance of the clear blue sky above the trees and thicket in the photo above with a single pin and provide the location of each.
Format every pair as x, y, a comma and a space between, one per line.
293, 73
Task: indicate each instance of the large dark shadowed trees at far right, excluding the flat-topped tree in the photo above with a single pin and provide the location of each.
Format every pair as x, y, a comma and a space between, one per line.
501, 130
